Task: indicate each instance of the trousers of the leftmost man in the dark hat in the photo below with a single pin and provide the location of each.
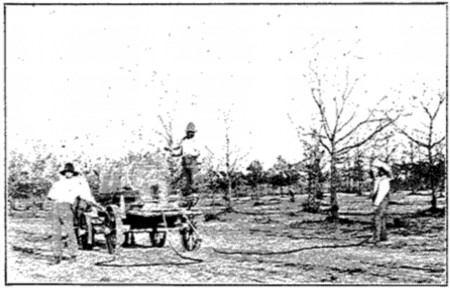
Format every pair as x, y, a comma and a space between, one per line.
63, 218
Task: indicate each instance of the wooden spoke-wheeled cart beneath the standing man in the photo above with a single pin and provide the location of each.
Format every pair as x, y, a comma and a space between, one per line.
125, 215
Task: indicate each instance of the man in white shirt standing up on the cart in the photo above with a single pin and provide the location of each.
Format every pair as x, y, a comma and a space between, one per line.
188, 150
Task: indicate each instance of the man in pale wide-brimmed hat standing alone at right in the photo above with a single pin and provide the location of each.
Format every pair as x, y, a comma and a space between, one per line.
380, 197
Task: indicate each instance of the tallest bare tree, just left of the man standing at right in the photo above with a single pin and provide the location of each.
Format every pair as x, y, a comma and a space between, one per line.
344, 127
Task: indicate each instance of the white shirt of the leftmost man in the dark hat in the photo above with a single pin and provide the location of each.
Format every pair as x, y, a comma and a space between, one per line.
66, 190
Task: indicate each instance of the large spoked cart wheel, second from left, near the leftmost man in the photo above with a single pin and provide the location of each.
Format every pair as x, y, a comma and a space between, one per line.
114, 237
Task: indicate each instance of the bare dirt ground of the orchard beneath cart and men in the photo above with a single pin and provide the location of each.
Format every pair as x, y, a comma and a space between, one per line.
416, 252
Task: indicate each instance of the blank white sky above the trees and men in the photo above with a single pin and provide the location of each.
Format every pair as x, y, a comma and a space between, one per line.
95, 78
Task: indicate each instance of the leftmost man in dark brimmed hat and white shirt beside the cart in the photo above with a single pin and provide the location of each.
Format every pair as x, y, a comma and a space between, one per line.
64, 193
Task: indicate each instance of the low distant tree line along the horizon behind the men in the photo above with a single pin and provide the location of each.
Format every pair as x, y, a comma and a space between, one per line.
309, 176
